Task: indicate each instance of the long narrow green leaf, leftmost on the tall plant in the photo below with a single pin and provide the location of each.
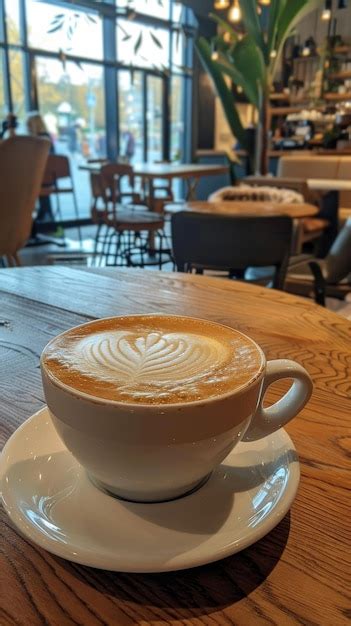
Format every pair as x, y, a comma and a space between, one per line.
225, 94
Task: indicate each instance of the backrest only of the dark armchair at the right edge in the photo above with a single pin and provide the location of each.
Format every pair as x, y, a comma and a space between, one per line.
338, 261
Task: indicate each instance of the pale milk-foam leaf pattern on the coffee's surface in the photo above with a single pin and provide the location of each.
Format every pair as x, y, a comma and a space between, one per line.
155, 358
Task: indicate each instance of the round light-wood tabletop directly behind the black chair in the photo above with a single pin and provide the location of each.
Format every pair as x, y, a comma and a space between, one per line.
237, 208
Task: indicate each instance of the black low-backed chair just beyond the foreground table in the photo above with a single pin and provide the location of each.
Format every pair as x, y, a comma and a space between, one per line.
233, 244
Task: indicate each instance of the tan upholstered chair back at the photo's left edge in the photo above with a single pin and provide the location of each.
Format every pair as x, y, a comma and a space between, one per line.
22, 166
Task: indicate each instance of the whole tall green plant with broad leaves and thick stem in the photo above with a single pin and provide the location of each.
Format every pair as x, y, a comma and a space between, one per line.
250, 60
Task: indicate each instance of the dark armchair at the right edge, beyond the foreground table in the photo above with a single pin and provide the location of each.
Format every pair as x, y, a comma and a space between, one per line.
332, 275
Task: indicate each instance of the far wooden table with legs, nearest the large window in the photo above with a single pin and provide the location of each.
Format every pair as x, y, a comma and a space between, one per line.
189, 172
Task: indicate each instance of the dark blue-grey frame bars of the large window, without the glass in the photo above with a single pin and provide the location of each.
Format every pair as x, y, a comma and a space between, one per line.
110, 64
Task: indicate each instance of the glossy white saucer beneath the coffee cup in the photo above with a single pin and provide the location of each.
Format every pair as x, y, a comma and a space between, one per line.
49, 498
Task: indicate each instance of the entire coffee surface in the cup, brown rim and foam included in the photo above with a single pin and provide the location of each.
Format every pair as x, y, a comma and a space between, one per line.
153, 359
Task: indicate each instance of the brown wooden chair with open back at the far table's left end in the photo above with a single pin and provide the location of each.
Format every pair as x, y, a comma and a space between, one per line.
121, 225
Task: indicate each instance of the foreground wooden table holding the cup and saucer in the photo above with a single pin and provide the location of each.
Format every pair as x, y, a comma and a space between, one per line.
295, 575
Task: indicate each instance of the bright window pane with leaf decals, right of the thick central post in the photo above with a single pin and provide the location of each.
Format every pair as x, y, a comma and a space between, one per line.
141, 45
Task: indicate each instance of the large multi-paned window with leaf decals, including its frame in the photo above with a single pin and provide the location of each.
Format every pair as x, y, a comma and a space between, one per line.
55, 56
